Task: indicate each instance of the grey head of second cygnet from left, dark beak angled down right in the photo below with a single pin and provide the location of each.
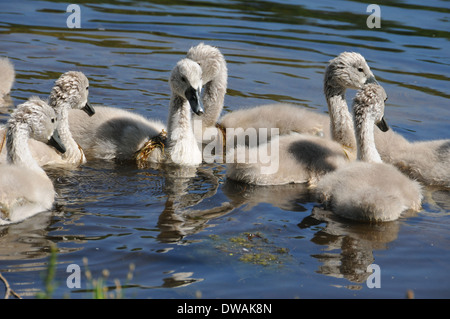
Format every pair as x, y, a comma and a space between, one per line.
73, 88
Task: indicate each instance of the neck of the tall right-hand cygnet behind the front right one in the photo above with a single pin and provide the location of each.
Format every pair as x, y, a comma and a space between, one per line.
340, 118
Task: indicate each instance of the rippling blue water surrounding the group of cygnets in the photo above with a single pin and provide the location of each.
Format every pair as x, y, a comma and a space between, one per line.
205, 236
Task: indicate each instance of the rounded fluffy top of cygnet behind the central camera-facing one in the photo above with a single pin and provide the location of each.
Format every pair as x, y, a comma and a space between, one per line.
210, 60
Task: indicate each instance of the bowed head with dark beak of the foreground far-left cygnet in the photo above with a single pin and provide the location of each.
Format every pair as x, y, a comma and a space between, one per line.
41, 121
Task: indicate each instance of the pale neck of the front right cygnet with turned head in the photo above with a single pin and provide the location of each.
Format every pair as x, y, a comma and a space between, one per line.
365, 141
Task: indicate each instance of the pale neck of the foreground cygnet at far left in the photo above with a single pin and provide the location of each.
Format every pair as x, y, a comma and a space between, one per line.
17, 147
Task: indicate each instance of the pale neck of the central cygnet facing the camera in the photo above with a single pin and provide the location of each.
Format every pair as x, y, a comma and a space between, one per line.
181, 143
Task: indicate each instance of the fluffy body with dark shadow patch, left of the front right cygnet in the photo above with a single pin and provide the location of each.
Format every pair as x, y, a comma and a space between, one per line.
298, 158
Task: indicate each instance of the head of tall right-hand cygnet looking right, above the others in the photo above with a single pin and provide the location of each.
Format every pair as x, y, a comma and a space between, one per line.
348, 70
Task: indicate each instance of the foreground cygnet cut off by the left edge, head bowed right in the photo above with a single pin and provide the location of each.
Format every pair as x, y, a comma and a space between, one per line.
25, 189
